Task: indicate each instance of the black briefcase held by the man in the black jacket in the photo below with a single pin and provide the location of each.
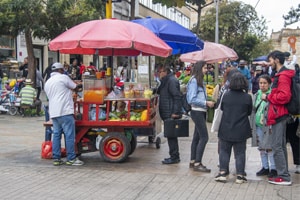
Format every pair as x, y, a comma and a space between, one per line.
176, 128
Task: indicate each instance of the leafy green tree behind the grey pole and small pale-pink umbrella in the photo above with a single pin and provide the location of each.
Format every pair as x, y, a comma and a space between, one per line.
239, 28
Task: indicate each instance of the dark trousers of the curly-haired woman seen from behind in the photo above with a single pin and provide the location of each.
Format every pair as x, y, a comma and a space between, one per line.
239, 149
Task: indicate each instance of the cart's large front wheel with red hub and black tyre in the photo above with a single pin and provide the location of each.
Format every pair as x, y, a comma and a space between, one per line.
114, 147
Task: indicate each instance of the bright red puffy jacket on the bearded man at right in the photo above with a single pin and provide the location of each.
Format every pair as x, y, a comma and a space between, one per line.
280, 95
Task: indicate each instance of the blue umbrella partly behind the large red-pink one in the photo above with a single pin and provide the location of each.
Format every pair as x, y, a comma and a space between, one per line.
179, 38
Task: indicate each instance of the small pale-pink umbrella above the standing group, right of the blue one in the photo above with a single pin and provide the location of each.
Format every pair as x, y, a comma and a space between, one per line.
211, 53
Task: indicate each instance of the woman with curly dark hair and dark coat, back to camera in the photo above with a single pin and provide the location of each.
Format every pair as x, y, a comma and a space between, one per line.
234, 128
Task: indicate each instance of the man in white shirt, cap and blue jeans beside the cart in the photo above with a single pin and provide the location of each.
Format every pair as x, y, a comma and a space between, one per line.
58, 89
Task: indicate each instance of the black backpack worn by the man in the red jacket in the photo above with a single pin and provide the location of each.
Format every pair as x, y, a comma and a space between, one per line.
294, 105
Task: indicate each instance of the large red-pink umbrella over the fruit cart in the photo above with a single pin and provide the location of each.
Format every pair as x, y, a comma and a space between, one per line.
110, 37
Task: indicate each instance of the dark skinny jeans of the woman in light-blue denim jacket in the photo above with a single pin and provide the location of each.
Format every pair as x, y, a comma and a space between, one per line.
200, 137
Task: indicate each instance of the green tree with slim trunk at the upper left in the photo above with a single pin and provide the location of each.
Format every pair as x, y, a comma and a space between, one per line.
44, 19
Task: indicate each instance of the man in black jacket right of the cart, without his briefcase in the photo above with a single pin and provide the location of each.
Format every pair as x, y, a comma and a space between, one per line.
170, 104
